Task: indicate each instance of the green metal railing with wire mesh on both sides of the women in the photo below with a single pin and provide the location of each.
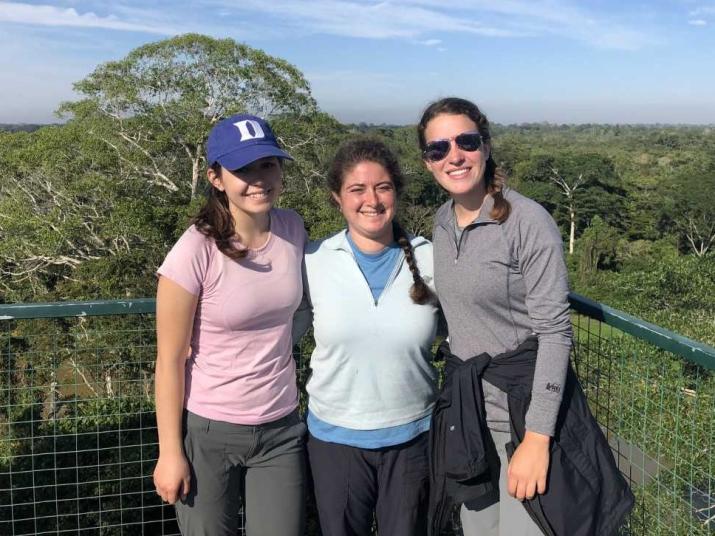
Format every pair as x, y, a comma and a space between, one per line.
78, 431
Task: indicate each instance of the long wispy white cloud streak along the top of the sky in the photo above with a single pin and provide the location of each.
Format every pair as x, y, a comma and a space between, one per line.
415, 21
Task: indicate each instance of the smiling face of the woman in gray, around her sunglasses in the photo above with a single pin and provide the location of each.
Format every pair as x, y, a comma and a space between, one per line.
461, 172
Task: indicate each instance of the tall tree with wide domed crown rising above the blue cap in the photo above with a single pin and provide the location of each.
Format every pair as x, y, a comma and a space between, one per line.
155, 107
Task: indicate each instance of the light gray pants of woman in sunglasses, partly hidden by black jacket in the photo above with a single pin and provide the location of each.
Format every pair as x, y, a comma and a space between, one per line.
504, 518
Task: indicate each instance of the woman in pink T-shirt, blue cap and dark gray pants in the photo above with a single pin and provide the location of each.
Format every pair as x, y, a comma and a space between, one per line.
226, 396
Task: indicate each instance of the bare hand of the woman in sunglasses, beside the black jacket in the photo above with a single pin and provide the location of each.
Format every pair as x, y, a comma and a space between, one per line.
528, 466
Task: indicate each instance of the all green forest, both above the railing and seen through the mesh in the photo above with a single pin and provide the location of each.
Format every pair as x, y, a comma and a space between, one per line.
90, 207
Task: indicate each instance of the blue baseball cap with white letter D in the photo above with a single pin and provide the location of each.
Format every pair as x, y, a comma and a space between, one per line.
238, 140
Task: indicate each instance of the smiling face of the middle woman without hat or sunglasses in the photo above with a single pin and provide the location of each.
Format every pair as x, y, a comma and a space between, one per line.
367, 199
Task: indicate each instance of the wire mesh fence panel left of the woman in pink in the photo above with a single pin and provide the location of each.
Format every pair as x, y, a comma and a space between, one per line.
78, 439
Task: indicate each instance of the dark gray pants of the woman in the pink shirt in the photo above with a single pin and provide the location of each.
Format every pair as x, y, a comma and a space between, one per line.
262, 466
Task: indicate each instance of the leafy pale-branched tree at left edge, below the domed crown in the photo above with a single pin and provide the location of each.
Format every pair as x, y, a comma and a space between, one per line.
68, 227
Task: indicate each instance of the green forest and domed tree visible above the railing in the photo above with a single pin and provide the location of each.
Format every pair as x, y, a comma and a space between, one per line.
89, 207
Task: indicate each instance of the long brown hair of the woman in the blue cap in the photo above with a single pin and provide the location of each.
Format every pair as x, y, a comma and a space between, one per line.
215, 221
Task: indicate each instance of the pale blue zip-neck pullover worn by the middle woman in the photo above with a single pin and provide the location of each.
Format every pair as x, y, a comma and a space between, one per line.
371, 367
